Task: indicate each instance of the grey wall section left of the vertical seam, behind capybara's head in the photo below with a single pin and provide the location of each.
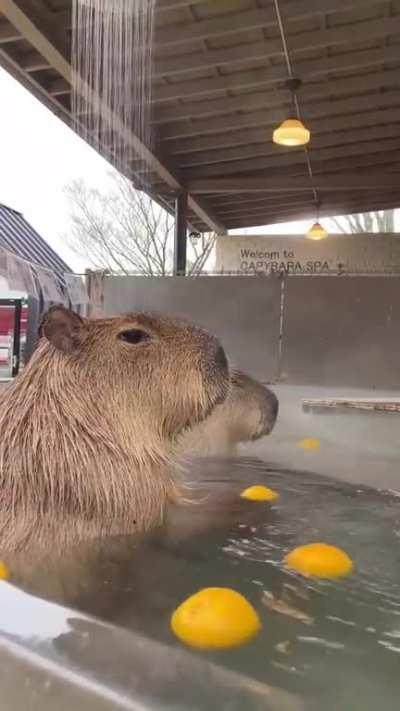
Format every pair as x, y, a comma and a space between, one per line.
243, 312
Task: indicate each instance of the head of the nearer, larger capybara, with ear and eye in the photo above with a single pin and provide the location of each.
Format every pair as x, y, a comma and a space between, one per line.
169, 373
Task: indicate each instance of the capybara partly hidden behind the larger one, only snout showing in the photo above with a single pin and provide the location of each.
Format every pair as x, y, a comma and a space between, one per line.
248, 413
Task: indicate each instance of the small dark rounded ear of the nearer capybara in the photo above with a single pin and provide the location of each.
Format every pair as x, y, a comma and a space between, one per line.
62, 328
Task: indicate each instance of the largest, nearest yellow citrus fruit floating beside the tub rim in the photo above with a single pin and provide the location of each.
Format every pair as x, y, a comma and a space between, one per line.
215, 618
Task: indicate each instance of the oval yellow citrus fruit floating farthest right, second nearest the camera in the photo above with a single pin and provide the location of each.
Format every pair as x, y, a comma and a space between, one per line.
319, 560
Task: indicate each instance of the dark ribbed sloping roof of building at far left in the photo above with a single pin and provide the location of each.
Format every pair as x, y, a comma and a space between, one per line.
19, 237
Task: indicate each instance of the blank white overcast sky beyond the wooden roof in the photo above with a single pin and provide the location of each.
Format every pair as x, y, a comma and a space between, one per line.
39, 155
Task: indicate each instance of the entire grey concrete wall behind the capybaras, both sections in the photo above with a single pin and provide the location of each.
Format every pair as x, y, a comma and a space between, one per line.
335, 331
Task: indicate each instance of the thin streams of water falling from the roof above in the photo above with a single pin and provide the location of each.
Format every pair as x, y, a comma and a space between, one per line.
112, 60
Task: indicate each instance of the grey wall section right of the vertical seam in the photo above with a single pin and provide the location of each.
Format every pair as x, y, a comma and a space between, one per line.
342, 331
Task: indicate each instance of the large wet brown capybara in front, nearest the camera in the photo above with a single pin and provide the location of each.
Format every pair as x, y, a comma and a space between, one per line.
88, 431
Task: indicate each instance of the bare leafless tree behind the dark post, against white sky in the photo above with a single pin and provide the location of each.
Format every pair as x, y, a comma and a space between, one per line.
124, 231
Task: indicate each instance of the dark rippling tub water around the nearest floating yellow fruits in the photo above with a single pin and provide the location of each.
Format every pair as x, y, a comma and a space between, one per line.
348, 658
